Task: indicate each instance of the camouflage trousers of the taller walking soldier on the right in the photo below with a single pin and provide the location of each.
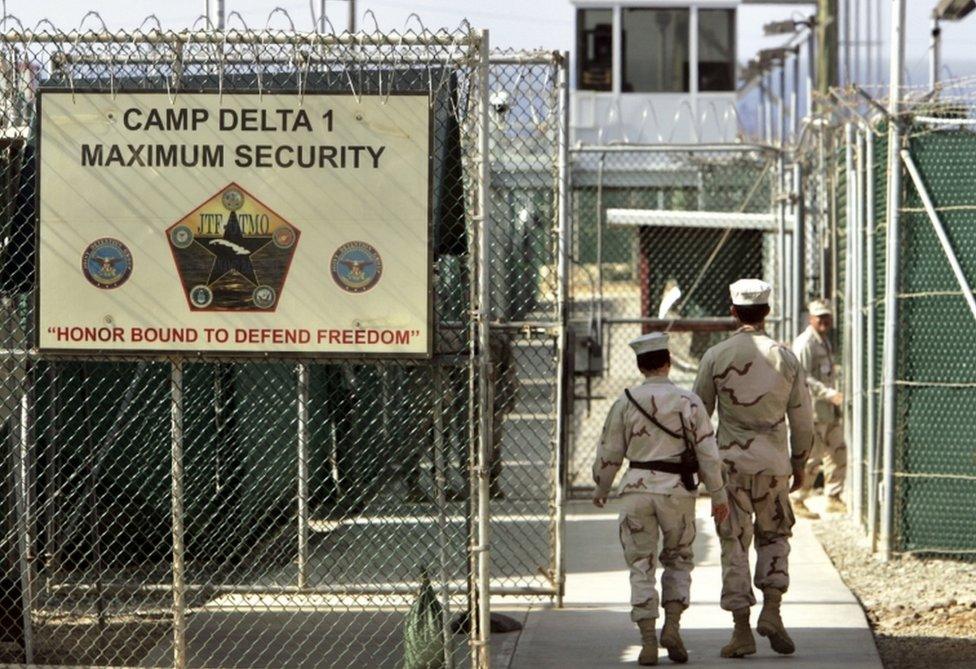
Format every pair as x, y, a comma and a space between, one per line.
759, 508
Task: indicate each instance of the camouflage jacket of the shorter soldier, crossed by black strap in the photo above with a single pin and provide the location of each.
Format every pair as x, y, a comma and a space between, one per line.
628, 434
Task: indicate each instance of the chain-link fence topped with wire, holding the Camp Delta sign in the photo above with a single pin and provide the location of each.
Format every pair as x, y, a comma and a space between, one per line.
212, 511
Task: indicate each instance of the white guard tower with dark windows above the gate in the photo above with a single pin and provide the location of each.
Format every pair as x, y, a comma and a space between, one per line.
649, 72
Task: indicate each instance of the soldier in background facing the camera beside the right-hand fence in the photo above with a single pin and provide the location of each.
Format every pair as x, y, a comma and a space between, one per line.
815, 353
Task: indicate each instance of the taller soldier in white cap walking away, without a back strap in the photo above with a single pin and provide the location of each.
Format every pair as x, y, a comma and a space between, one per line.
757, 384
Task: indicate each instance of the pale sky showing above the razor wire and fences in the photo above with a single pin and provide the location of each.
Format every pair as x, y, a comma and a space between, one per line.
512, 23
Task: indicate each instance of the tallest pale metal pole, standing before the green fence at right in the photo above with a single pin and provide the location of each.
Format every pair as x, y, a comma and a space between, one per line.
892, 260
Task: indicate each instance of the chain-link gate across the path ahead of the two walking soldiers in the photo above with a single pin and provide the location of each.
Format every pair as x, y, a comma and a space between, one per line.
659, 234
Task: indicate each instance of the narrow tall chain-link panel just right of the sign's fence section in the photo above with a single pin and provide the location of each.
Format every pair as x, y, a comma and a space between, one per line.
526, 124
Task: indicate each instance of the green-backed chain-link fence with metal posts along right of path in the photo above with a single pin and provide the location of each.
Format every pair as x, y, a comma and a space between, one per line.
909, 384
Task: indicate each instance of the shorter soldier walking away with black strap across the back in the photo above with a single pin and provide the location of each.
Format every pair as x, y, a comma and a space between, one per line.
651, 425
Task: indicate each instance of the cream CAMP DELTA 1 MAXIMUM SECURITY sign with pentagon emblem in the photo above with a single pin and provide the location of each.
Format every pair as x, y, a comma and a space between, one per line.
234, 223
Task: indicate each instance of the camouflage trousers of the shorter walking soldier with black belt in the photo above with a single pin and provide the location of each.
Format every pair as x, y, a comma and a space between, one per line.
643, 517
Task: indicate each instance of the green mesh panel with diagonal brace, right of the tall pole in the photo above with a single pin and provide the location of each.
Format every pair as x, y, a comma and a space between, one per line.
934, 465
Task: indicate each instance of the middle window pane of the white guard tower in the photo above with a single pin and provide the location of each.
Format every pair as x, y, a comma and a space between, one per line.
655, 50
